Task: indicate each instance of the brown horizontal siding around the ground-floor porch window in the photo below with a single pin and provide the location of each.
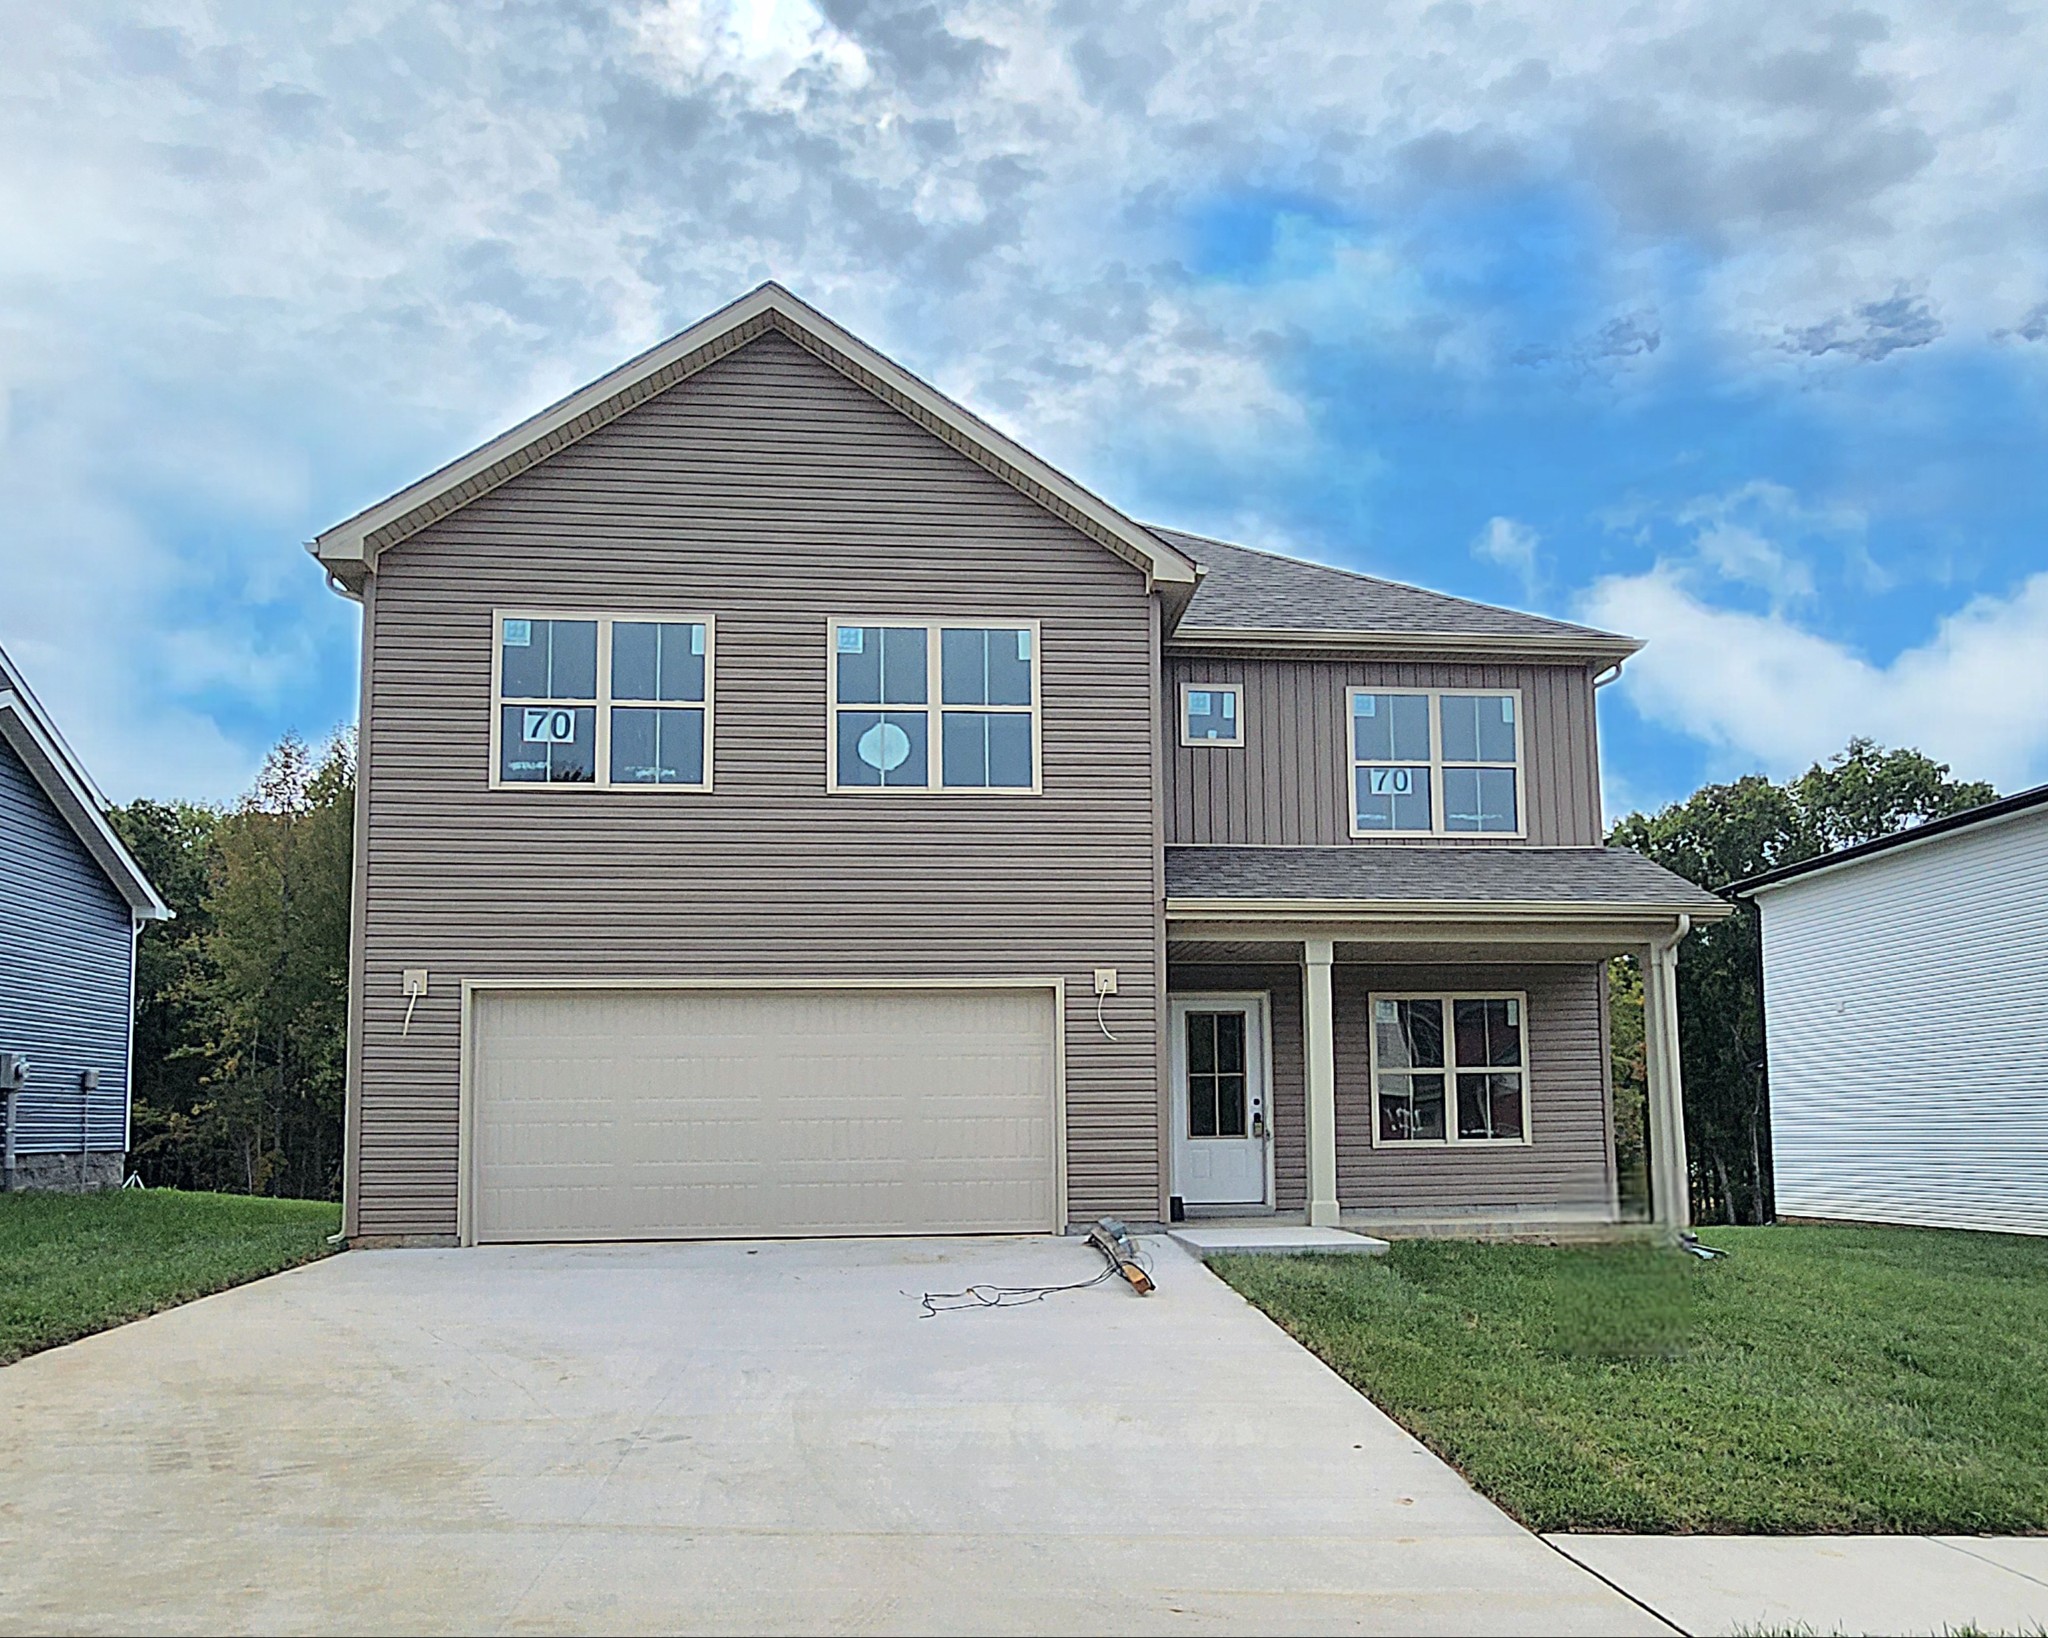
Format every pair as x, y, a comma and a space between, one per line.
1568, 1164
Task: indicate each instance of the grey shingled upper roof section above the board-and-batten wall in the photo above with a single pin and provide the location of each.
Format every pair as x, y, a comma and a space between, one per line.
1269, 601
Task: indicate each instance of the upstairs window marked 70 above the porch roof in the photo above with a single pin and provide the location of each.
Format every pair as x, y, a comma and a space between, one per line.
1437, 763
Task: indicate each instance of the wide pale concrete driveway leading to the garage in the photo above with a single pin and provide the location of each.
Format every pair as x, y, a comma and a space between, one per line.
738, 1438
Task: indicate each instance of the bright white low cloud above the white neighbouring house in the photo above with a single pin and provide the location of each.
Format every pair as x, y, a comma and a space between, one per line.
1770, 693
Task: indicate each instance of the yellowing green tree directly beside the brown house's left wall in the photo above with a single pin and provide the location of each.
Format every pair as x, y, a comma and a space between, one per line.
275, 984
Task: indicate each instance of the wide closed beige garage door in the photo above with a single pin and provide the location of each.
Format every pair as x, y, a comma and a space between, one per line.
650, 1115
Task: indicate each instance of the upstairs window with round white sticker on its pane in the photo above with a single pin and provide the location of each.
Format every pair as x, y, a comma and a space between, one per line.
925, 705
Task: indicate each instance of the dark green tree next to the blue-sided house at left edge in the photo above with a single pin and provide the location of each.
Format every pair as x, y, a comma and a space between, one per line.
175, 847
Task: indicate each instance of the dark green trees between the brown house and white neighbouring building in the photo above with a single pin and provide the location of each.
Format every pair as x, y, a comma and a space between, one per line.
1721, 834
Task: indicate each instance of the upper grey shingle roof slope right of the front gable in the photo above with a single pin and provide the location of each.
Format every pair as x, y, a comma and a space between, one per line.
1248, 589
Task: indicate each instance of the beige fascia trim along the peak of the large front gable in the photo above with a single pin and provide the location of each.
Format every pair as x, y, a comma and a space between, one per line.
347, 544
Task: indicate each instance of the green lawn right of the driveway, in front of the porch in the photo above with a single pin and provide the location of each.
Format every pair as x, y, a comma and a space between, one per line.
1814, 1381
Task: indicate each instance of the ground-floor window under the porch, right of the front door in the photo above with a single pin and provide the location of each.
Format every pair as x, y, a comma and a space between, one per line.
1451, 1070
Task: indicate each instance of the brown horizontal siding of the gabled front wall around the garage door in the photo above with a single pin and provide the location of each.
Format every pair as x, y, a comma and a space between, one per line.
771, 494
